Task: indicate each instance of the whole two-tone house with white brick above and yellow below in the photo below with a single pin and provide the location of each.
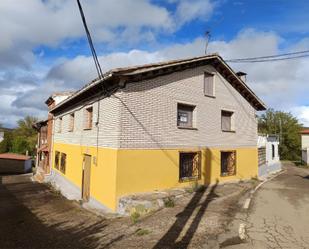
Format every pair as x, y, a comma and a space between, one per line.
154, 127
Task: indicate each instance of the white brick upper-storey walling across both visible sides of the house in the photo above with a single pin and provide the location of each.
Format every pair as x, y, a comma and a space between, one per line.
144, 115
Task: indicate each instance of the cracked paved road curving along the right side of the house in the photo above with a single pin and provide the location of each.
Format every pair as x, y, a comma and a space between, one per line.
279, 214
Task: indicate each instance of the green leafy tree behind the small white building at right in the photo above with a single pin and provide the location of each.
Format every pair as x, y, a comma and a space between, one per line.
287, 127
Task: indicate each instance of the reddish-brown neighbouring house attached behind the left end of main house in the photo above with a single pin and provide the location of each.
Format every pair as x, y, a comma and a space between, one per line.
44, 128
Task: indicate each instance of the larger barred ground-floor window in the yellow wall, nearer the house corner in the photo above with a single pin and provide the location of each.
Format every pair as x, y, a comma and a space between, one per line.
189, 165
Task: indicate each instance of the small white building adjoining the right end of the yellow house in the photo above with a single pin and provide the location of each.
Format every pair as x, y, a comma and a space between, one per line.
268, 150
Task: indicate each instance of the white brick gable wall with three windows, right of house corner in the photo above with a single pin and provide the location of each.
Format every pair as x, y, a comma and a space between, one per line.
149, 113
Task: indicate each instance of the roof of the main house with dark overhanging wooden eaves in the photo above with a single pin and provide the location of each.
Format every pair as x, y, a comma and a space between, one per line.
138, 73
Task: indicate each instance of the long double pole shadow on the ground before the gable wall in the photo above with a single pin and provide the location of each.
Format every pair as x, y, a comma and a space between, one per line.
196, 204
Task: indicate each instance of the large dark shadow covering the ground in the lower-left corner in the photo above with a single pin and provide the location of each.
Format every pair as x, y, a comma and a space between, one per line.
21, 228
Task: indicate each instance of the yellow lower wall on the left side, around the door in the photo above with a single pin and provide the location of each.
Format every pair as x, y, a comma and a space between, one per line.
103, 174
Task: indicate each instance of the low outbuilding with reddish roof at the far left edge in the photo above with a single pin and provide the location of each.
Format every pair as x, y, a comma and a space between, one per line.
11, 163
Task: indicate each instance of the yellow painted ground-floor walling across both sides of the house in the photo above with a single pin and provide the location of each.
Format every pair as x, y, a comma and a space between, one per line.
123, 172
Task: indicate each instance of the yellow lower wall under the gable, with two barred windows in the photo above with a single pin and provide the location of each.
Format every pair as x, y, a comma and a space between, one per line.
147, 170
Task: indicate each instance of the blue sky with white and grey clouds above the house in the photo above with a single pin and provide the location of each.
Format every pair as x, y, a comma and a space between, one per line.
43, 48
